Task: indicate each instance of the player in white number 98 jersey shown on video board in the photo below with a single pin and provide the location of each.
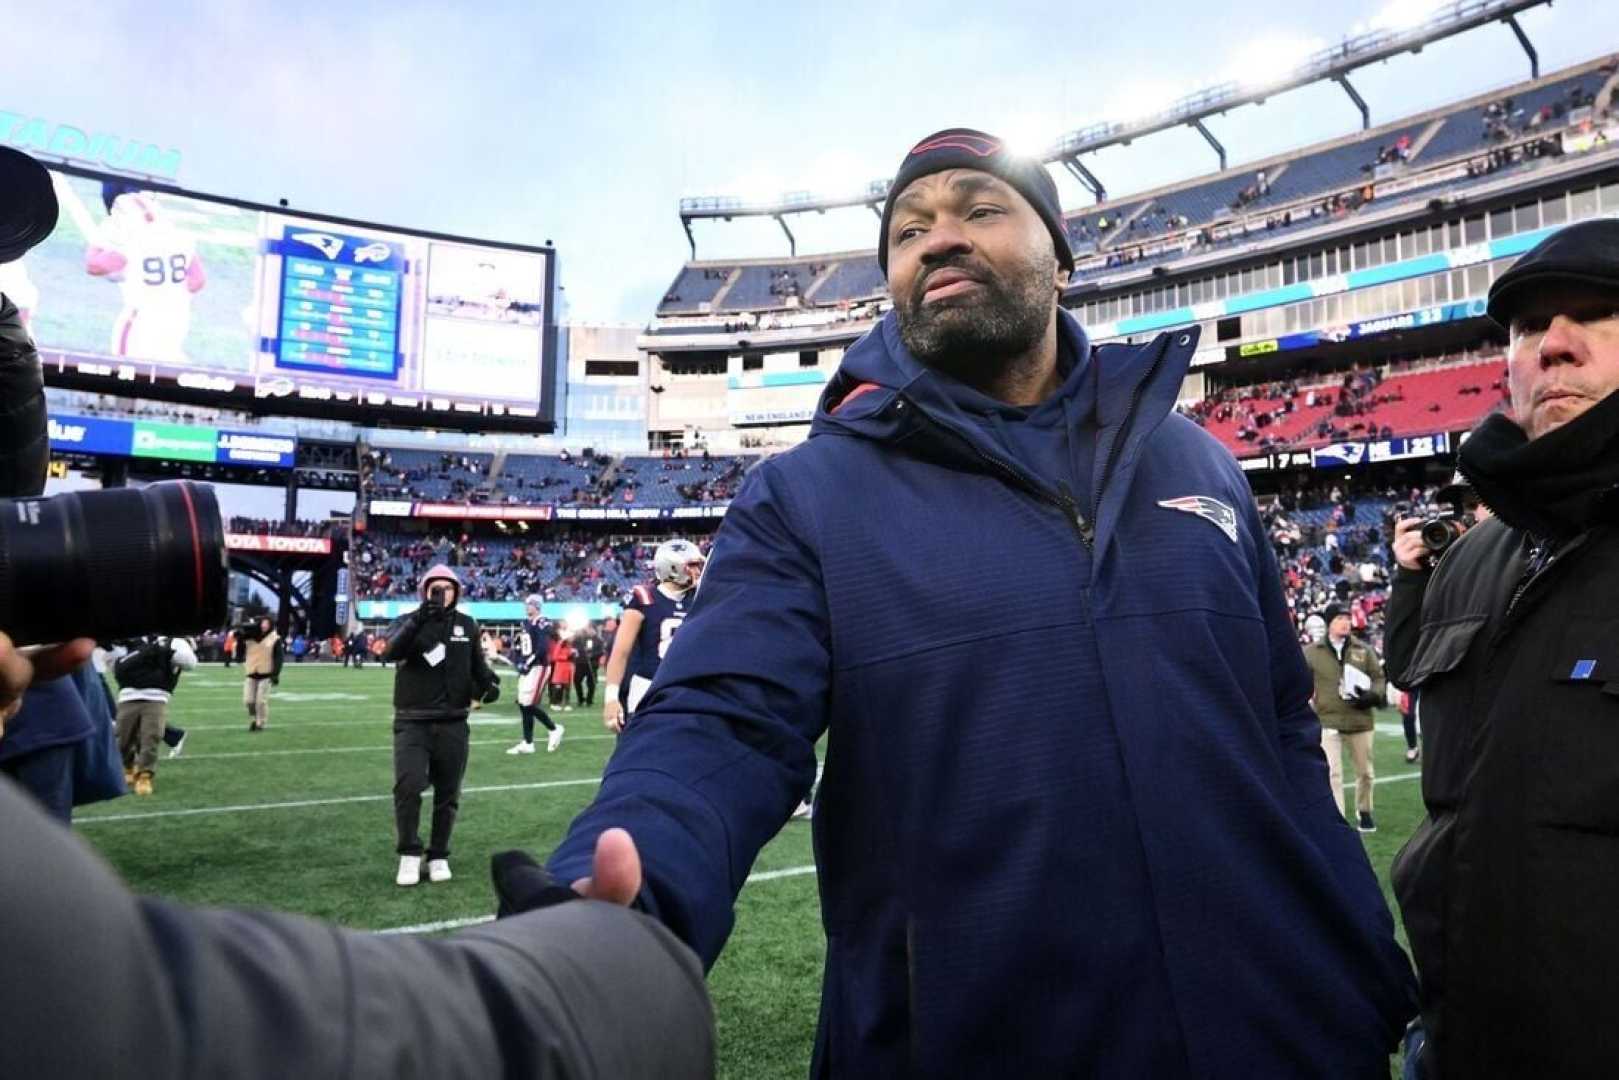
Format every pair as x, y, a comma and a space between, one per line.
158, 268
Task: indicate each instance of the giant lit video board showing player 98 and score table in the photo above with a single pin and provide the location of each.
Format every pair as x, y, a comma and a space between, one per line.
158, 292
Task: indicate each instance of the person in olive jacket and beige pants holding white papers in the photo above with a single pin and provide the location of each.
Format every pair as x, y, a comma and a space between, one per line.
1349, 686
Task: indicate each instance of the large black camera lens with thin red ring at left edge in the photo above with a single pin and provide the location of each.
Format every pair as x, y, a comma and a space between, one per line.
113, 564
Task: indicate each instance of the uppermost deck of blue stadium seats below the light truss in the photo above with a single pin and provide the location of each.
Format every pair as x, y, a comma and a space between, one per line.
1476, 143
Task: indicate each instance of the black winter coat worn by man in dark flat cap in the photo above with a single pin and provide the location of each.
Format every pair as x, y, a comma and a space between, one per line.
1511, 885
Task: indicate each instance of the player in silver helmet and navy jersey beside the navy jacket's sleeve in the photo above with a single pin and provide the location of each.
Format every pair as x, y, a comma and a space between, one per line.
648, 626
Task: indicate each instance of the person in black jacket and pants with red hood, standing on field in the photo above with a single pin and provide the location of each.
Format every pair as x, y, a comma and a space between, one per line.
440, 674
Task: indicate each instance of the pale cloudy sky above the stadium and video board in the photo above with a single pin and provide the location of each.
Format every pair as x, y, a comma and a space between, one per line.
587, 124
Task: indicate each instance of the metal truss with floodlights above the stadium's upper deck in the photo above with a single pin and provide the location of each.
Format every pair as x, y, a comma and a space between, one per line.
1328, 66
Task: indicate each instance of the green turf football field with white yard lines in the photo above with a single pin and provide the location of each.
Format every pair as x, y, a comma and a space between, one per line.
300, 819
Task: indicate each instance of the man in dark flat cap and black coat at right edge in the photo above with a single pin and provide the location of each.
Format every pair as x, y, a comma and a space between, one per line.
1511, 883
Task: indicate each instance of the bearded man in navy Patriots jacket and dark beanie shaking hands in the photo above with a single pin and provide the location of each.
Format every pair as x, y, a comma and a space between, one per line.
1128, 865
